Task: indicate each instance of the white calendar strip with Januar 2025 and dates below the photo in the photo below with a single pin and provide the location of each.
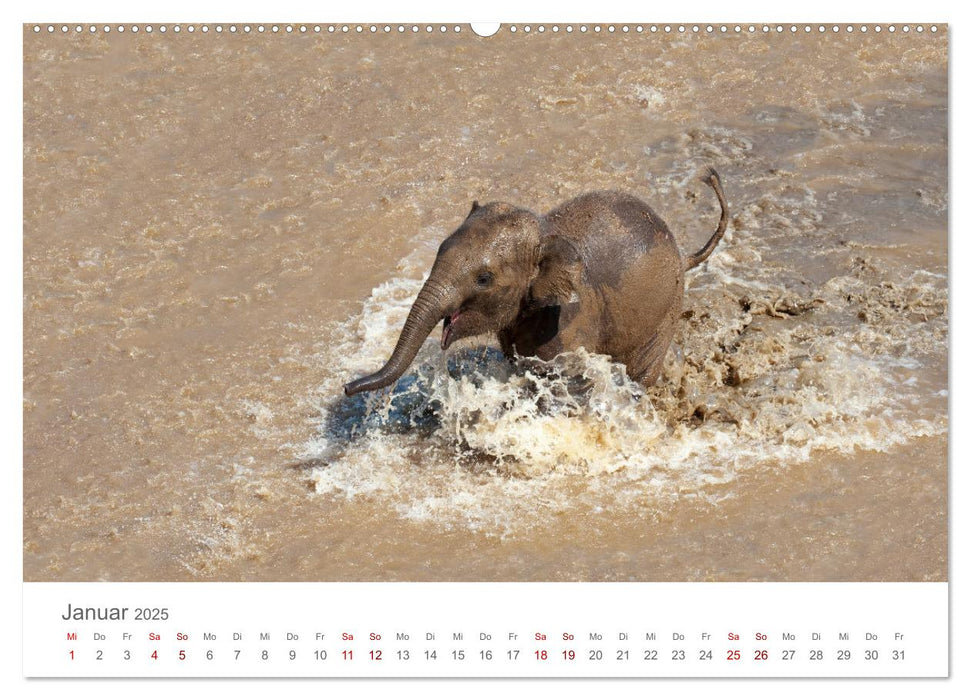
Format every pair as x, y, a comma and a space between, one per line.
479, 630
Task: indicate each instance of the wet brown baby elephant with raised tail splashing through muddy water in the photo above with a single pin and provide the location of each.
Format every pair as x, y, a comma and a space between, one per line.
601, 272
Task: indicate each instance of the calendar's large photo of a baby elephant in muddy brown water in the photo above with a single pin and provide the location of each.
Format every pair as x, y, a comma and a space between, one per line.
542, 306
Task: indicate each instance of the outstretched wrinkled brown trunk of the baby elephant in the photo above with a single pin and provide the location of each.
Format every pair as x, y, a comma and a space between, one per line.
429, 308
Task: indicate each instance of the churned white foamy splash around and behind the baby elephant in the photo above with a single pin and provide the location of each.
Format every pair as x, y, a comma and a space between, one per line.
765, 379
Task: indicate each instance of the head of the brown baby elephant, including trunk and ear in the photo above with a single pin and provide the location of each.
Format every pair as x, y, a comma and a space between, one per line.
499, 261
